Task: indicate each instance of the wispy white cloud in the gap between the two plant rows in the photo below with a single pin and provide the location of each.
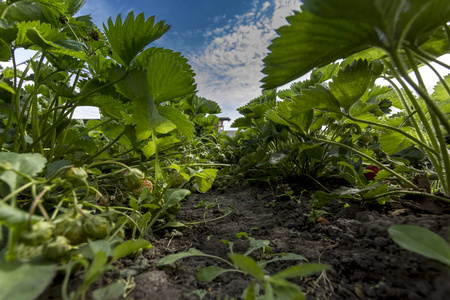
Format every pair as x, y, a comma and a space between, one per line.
229, 67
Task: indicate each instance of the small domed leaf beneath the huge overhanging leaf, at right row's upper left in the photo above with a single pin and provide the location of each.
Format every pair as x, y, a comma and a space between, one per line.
317, 97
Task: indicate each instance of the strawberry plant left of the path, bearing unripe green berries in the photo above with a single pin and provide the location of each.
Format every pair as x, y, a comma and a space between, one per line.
59, 177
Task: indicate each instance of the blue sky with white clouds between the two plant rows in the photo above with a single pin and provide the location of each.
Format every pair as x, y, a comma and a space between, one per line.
225, 41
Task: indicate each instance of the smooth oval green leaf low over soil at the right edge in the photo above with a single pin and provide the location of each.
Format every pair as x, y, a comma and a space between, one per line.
422, 241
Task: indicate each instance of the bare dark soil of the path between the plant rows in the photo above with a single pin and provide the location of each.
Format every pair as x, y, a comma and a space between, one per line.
364, 261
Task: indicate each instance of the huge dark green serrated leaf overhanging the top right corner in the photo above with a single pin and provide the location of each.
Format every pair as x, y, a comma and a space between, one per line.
327, 30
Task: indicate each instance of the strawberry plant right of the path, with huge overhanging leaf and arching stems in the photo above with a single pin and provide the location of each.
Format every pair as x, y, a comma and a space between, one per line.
372, 40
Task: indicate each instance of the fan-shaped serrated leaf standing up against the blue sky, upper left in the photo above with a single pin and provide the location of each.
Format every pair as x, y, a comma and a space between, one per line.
129, 38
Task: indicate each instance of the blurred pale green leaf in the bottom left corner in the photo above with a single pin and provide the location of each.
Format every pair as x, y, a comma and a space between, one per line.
24, 281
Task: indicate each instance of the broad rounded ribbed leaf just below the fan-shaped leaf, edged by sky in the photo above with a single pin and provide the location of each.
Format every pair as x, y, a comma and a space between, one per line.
169, 76
